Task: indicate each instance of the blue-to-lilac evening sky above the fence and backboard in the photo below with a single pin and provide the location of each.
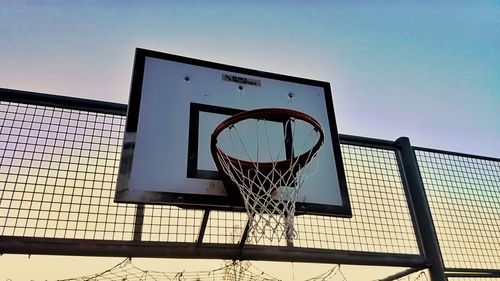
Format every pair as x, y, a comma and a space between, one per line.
429, 71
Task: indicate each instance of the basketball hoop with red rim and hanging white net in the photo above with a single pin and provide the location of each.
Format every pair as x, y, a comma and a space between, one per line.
260, 168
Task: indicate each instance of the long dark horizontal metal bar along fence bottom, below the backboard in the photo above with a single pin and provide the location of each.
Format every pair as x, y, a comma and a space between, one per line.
150, 249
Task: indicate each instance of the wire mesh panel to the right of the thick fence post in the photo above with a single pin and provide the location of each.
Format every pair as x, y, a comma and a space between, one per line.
464, 198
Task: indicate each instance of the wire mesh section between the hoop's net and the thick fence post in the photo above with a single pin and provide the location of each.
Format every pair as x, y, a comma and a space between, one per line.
381, 219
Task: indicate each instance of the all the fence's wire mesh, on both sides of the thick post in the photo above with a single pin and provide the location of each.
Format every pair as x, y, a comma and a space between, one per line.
58, 169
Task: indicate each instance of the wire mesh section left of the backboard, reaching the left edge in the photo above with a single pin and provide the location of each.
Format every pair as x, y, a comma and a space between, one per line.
57, 174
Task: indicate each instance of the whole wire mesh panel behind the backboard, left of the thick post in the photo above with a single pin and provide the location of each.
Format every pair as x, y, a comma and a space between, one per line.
58, 174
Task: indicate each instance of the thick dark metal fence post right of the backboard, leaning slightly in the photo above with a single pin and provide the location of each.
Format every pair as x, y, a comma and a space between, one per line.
418, 198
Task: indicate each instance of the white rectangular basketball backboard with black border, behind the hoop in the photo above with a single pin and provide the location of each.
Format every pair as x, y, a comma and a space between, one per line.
176, 103
